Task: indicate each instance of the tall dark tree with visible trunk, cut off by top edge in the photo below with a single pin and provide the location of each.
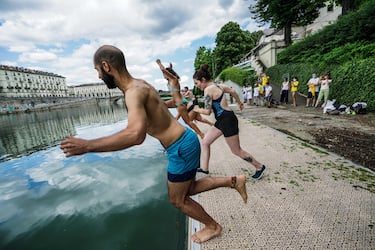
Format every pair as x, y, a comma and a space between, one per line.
283, 14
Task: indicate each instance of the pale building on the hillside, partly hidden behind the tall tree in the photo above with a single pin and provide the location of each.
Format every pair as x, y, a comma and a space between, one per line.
264, 55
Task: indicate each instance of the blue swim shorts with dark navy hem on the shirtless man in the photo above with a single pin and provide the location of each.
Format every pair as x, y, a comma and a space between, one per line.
184, 157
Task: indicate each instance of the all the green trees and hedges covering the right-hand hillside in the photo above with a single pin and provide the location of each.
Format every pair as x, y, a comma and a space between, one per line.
345, 50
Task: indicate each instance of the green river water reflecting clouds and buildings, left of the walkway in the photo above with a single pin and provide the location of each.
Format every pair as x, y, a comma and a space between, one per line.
114, 200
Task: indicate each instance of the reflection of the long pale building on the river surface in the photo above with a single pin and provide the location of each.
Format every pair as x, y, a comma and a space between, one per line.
25, 133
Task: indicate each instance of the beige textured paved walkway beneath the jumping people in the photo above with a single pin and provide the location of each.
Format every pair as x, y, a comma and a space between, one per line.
308, 199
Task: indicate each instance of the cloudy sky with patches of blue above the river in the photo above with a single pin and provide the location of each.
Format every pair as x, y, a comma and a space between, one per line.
61, 36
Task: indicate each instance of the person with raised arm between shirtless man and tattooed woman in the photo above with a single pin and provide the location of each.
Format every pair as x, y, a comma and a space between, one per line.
178, 101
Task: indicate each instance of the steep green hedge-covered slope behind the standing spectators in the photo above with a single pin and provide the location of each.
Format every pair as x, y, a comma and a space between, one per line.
345, 50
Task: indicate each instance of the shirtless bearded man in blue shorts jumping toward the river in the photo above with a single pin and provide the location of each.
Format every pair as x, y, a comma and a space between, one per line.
147, 114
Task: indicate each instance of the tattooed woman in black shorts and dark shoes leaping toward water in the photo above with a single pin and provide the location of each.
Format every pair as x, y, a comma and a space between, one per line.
226, 121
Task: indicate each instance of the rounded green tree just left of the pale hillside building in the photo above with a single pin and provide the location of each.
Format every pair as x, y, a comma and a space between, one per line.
232, 44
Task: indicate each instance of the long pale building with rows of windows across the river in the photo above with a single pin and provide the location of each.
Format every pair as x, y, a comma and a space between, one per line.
23, 89
